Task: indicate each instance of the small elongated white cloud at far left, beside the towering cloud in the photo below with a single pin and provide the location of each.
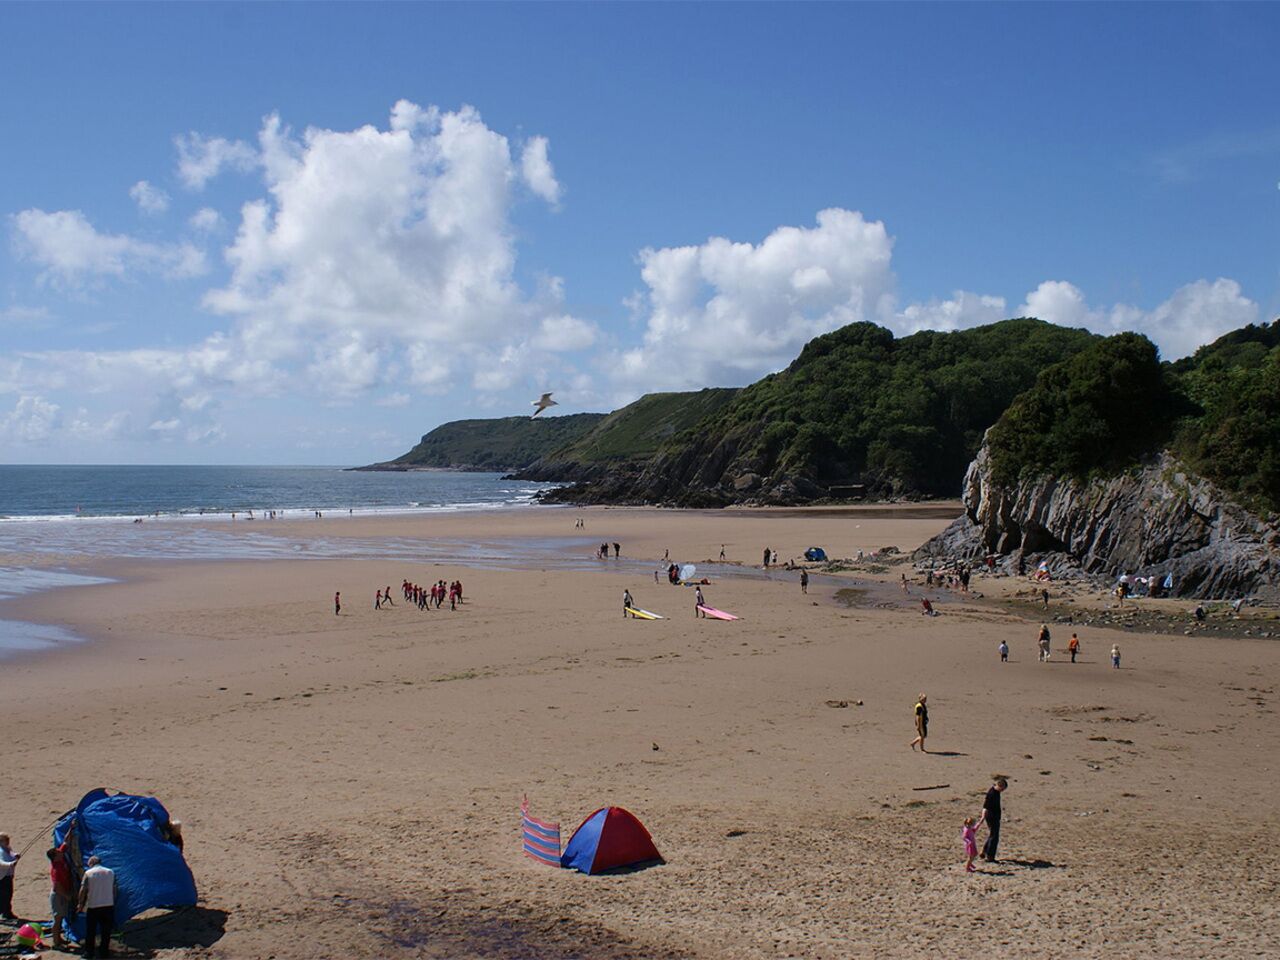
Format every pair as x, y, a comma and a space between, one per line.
67, 246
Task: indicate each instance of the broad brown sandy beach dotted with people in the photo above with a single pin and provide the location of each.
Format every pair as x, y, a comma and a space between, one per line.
351, 785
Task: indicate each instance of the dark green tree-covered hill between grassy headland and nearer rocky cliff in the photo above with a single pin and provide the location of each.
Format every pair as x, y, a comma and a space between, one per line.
860, 406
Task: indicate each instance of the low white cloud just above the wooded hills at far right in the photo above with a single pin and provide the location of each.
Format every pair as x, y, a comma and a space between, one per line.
1196, 314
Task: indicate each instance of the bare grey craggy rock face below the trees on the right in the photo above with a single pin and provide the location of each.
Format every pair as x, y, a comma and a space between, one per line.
1151, 522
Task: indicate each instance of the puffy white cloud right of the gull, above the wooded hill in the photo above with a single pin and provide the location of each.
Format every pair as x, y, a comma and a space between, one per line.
725, 313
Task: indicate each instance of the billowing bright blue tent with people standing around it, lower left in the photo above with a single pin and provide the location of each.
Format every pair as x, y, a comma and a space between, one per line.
127, 834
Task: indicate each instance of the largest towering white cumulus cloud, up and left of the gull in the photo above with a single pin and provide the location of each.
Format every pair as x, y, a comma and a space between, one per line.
378, 245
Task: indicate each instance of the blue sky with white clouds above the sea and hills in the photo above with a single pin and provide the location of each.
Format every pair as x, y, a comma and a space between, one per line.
309, 234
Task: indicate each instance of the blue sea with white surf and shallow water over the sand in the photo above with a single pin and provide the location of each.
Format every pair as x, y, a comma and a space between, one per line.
51, 515
